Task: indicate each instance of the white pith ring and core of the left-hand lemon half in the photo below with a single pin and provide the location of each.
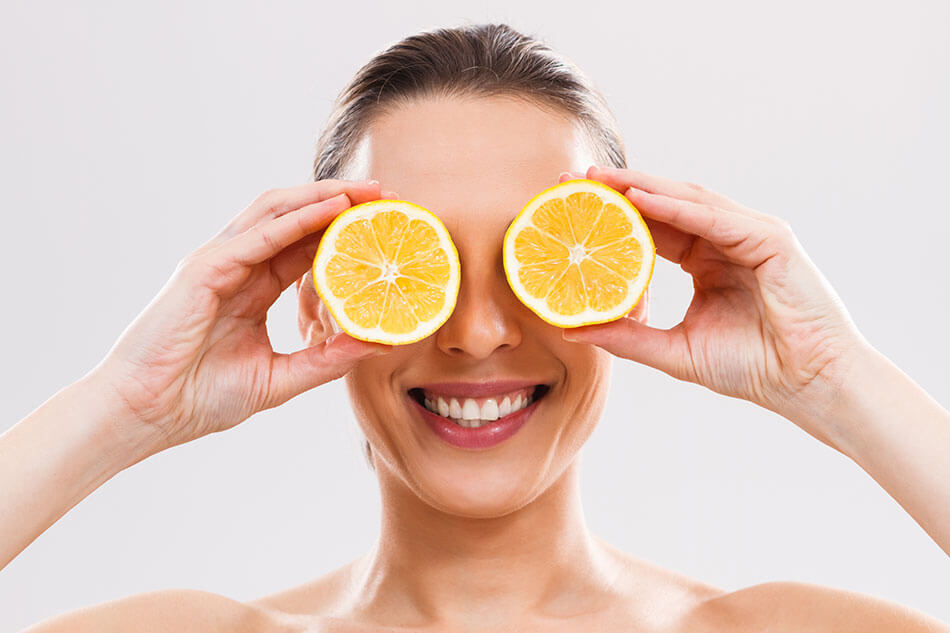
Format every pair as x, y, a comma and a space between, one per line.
389, 272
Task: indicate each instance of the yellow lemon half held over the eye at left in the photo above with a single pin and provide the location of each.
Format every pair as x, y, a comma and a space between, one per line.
387, 271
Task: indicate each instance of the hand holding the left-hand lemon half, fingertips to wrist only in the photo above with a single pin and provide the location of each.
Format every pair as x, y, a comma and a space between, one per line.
198, 359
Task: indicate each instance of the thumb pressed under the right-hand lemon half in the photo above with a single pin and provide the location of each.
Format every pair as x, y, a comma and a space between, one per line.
665, 350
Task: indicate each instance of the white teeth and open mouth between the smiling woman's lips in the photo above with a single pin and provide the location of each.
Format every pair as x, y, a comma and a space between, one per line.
476, 412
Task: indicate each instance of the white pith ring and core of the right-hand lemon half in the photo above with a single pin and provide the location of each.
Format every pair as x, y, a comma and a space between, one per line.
577, 253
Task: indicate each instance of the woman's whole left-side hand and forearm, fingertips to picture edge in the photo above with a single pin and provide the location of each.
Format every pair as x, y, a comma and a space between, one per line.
163, 382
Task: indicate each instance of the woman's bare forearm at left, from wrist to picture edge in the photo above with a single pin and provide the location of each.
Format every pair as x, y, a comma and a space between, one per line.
56, 456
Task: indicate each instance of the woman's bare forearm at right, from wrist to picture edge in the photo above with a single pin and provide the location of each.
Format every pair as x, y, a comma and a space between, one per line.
899, 435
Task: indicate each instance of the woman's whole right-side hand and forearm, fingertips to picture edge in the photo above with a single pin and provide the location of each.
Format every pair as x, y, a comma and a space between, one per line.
789, 345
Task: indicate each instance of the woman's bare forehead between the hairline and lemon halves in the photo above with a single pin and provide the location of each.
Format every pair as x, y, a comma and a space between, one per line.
454, 155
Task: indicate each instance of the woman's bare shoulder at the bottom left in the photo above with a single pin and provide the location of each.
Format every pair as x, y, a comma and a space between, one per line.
171, 610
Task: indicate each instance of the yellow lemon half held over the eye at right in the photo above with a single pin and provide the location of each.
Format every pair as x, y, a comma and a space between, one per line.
579, 253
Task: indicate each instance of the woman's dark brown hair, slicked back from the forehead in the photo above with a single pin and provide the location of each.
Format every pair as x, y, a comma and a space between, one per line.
469, 60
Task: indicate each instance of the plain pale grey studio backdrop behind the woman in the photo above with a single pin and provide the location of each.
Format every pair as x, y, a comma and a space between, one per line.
133, 131
